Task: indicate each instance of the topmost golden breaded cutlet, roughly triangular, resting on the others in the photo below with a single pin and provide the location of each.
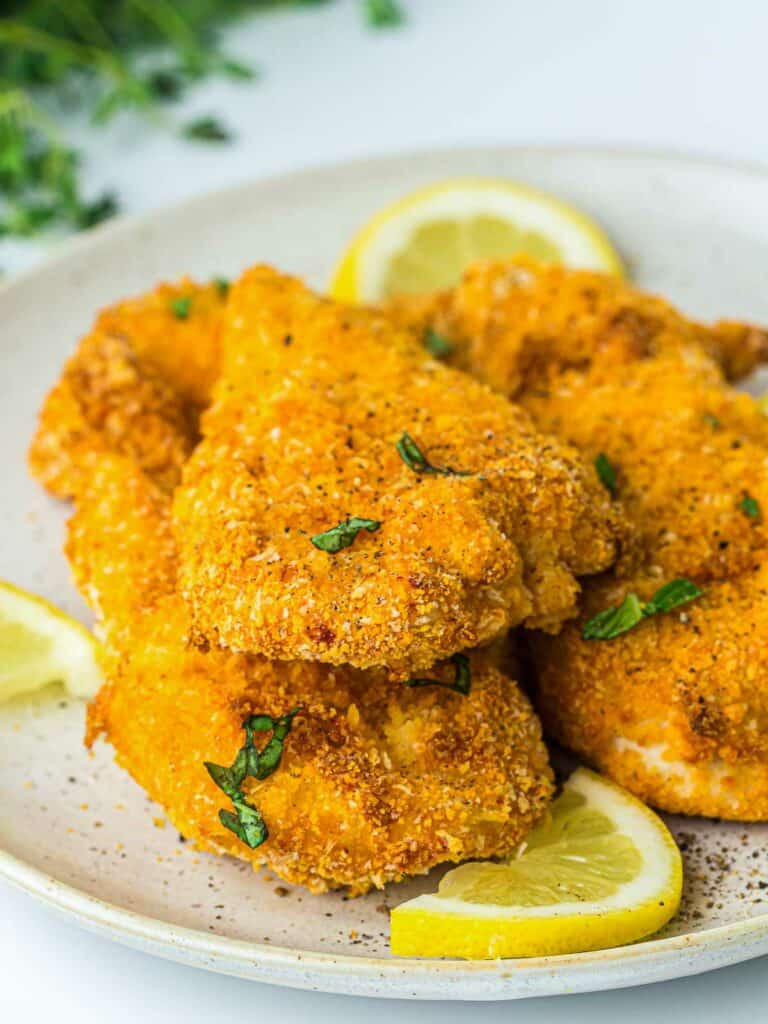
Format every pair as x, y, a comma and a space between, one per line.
303, 435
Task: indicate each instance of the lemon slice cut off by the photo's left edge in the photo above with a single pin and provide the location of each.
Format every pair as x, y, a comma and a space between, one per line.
39, 645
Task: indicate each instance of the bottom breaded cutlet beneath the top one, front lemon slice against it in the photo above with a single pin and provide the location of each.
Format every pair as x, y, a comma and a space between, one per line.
378, 781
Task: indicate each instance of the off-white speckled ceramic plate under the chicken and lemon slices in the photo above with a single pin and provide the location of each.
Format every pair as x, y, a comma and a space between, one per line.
78, 834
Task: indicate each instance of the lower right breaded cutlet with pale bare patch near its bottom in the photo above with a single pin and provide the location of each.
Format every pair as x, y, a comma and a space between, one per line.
677, 709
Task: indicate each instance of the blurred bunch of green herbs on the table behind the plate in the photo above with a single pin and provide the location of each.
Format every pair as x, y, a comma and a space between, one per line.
102, 57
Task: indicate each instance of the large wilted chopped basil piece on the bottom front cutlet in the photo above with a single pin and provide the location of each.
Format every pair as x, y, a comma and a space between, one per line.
246, 822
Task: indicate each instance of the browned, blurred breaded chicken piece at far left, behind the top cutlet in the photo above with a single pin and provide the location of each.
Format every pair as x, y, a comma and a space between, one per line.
136, 385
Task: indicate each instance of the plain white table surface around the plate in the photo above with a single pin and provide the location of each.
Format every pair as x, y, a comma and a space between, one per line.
686, 75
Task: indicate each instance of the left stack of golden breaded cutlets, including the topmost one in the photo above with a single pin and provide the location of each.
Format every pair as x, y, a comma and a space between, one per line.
377, 780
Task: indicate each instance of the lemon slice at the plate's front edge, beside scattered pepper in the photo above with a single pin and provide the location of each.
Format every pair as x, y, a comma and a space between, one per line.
602, 871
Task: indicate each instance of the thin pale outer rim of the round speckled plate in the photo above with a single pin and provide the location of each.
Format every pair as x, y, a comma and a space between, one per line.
129, 926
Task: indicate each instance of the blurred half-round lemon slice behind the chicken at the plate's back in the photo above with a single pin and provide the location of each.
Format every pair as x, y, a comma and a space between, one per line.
424, 241
